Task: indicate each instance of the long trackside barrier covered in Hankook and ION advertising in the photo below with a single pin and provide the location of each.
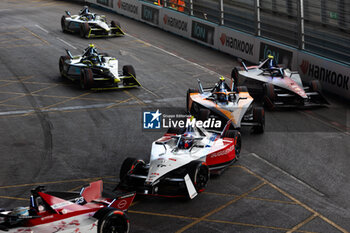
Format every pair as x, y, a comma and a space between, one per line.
334, 76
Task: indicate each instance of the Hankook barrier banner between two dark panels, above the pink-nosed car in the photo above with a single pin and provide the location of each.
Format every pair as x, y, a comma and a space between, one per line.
238, 44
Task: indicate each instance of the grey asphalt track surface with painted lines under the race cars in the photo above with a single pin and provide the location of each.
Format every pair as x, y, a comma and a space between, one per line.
292, 178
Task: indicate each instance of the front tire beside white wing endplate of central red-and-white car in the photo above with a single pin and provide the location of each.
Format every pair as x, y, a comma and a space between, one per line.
199, 174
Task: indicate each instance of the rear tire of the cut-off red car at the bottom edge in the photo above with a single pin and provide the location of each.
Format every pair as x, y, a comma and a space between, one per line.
112, 220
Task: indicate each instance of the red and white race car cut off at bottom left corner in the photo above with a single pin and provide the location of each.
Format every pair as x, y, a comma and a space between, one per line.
65, 212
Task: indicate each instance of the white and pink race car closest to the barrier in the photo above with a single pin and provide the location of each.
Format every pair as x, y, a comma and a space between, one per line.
278, 86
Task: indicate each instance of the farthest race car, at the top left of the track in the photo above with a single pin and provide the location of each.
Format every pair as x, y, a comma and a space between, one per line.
89, 25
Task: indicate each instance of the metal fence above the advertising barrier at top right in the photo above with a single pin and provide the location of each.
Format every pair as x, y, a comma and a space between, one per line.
318, 26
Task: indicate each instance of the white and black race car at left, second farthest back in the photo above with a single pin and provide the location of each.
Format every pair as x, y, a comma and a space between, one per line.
96, 71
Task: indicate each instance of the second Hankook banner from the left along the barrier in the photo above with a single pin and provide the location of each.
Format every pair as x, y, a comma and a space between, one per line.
175, 22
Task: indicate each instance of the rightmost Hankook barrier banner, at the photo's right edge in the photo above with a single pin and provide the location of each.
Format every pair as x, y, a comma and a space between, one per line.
333, 77
